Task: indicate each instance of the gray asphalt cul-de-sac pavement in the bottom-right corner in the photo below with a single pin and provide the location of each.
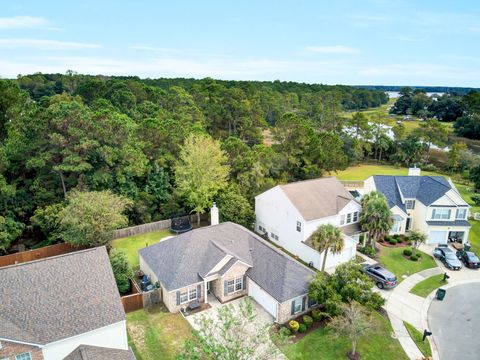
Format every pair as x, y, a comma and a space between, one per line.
455, 322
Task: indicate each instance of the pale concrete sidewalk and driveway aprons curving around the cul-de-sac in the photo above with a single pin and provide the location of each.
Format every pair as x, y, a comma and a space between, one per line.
401, 305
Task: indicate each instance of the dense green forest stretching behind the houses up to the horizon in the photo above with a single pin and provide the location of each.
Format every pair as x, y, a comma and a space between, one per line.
147, 140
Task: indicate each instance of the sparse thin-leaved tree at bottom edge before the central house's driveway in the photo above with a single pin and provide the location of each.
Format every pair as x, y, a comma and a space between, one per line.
232, 335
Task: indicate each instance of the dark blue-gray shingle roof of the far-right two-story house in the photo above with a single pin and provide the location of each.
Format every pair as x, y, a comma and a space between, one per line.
426, 189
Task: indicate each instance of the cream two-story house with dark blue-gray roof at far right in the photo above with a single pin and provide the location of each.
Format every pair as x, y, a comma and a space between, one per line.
430, 204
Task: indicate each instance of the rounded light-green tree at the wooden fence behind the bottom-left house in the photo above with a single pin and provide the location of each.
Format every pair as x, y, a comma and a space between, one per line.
91, 218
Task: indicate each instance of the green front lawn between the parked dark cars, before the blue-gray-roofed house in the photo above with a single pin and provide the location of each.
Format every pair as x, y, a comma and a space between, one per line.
393, 260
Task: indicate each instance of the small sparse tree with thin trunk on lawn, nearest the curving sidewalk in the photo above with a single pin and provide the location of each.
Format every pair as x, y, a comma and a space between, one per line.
353, 323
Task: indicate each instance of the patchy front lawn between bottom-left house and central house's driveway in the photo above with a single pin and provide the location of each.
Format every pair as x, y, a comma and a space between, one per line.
156, 334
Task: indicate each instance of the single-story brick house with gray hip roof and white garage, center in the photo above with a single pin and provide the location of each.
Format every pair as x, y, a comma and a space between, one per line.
227, 261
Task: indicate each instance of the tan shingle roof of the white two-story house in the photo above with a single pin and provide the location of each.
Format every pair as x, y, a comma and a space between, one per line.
317, 198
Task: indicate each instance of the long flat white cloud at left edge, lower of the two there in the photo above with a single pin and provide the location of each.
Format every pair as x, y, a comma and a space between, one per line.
45, 44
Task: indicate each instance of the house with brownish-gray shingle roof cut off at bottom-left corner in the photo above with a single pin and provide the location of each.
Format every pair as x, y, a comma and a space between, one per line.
51, 306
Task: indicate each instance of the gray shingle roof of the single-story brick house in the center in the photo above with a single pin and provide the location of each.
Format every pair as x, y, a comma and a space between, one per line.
178, 261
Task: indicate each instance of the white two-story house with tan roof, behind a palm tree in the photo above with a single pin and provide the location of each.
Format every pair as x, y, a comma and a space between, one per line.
290, 213
